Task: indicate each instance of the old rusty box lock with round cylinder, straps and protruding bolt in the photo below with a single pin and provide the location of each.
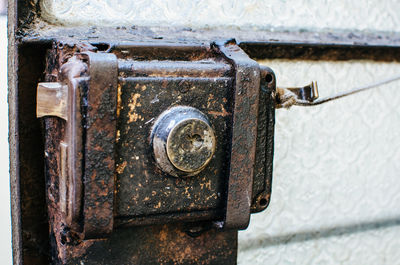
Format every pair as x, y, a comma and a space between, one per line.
156, 134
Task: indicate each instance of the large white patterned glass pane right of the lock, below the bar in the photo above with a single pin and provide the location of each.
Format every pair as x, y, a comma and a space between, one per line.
336, 172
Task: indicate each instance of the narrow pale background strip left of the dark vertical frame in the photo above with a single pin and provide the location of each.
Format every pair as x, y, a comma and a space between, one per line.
5, 216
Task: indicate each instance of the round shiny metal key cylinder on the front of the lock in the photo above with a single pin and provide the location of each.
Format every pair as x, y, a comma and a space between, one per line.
183, 141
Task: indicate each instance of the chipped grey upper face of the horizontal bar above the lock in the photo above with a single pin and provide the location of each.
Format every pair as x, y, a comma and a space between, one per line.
41, 29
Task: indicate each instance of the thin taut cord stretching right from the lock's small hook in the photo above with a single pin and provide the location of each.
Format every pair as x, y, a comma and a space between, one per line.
348, 93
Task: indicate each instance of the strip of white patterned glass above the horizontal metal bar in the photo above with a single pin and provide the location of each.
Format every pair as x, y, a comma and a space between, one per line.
345, 14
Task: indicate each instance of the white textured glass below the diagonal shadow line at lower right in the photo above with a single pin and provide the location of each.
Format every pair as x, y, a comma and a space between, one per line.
376, 246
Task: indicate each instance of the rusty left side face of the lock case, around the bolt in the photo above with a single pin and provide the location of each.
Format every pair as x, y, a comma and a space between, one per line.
63, 192
